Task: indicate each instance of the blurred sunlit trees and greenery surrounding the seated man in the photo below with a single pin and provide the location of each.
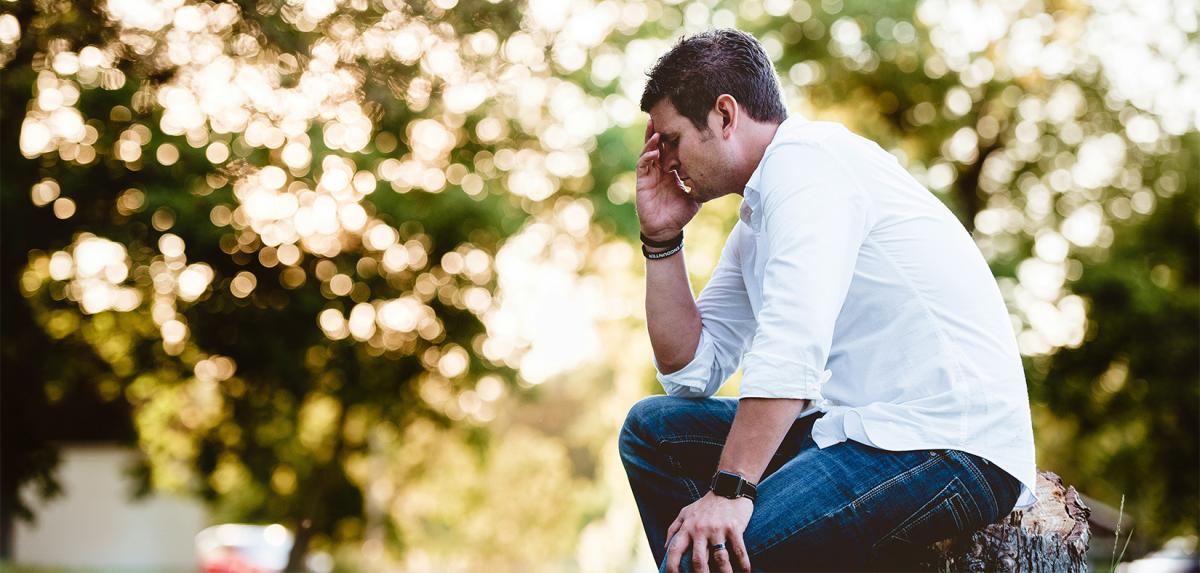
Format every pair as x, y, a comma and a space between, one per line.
363, 275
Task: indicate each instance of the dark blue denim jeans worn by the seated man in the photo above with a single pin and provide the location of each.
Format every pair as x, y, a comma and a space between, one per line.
849, 506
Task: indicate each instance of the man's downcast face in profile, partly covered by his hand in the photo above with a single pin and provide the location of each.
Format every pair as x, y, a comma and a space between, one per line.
700, 158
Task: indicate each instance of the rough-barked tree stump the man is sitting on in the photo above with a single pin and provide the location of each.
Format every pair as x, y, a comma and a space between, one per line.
1052, 536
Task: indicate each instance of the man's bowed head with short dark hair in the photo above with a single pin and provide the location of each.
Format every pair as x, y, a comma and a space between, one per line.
710, 98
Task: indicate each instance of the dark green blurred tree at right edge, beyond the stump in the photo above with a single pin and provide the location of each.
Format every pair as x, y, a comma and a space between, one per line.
1131, 391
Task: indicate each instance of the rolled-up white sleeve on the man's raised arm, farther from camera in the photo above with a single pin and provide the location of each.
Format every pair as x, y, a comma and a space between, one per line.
727, 325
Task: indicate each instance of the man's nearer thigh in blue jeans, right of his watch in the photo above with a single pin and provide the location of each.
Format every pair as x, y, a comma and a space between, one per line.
850, 505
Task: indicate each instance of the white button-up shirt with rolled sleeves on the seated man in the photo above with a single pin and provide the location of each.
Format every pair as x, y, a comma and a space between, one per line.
848, 284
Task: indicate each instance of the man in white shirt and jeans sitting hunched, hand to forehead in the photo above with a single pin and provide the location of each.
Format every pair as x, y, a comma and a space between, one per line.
883, 403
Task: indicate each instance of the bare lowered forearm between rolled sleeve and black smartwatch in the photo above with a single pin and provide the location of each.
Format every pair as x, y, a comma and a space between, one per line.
759, 429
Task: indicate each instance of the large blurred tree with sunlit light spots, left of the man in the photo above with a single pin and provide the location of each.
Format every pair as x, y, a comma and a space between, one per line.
272, 231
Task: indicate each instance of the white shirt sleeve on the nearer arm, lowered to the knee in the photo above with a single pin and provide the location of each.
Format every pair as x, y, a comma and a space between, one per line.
814, 221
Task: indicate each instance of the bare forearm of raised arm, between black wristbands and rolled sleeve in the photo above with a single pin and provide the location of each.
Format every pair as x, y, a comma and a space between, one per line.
671, 313
